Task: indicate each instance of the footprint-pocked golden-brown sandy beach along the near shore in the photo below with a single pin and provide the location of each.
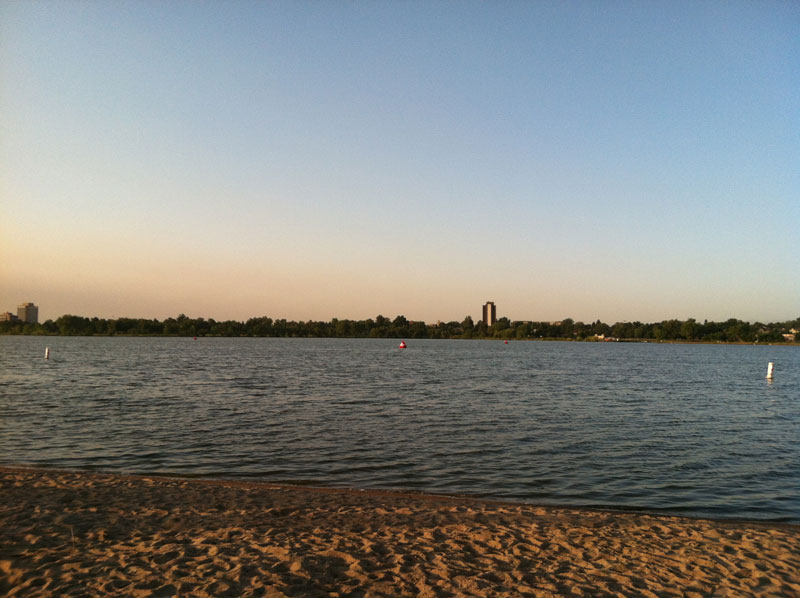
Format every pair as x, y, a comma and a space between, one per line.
83, 534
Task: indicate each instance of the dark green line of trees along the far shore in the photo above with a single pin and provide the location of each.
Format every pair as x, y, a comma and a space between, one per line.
730, 331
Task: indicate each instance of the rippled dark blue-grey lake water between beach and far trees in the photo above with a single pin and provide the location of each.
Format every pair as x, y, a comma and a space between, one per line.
685, 429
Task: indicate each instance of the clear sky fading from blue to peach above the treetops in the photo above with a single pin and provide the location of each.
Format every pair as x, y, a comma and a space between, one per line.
618, 161
